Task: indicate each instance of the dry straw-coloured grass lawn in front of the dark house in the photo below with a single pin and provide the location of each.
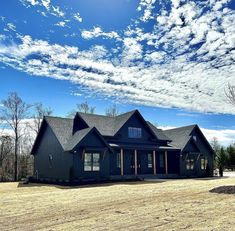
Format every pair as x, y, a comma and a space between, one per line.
166, 205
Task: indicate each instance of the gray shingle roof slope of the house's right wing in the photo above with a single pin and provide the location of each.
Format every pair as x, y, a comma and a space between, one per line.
180, 136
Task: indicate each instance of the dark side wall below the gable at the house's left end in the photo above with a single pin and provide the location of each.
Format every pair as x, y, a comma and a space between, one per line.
58, 167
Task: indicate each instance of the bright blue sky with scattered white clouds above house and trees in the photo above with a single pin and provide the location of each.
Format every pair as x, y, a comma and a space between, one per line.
169, 59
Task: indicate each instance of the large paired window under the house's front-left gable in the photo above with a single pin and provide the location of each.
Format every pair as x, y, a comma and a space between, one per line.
92, 162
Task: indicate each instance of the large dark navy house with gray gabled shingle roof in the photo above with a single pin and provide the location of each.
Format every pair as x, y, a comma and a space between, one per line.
97, 147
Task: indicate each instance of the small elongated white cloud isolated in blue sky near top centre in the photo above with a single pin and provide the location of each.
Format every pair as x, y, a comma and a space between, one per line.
98, 32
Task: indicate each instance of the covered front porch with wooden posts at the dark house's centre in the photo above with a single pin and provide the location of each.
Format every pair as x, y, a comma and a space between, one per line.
142, 161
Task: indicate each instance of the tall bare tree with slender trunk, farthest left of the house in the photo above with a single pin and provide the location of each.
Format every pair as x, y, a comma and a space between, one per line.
13, 112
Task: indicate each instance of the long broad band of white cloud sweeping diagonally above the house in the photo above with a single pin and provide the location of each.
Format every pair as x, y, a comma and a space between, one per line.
166, 85
